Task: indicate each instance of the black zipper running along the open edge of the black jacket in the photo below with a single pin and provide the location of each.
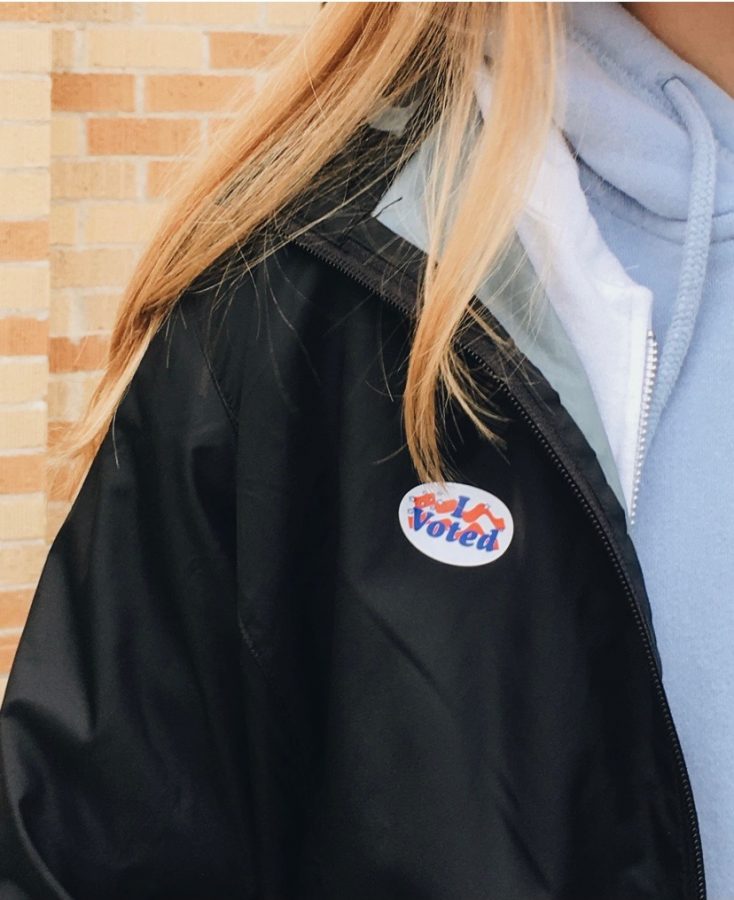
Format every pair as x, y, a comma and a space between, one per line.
639, 619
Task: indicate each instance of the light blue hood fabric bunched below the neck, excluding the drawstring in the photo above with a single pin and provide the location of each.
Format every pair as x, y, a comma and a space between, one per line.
623, 124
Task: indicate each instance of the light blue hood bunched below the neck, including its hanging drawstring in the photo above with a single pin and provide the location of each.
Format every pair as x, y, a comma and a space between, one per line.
658, 132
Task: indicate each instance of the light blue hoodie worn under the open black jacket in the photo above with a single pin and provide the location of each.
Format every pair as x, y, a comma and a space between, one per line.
654, 142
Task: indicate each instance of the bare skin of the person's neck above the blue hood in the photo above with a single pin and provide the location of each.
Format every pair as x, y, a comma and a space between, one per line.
700, 33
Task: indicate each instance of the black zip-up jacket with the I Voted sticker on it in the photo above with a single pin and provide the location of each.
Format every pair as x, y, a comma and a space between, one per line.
241, 678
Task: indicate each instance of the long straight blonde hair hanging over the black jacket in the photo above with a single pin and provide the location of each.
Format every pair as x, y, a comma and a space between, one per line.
354, 61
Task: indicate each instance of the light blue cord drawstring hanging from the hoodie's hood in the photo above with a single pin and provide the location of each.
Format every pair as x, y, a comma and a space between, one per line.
695, 249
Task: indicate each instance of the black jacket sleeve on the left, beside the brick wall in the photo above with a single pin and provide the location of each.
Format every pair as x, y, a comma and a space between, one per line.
123, 732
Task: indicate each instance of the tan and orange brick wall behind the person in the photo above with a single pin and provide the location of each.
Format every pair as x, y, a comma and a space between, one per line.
99, 104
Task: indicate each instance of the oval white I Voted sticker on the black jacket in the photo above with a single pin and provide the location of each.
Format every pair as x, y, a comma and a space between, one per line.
460, 525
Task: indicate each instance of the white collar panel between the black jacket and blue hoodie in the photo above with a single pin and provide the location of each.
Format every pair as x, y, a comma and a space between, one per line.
606, 314
